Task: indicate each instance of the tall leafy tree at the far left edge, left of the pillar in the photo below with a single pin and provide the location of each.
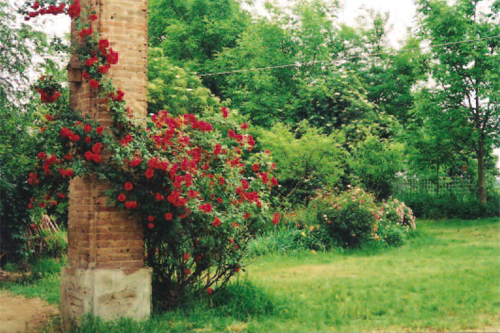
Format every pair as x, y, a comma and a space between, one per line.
20, 122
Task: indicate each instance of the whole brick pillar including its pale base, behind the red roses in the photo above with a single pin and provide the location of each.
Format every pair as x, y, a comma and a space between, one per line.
105, 276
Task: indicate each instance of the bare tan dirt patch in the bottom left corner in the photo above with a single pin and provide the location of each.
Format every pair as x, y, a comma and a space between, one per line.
20, 314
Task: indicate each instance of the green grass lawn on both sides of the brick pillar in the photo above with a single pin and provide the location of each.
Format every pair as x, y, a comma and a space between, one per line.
445, 279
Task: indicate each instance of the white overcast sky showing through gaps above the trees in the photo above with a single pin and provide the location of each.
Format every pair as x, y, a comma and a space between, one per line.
401, 17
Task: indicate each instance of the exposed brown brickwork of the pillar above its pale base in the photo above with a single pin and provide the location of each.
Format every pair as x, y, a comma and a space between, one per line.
100, 236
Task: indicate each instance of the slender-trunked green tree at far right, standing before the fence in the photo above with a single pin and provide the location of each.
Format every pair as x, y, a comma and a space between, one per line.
466, 71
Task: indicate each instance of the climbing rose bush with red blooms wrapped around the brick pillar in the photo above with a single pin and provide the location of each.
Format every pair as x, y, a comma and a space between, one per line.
194, 183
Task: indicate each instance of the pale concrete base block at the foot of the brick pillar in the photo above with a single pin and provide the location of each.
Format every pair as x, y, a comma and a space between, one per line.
108, 294
